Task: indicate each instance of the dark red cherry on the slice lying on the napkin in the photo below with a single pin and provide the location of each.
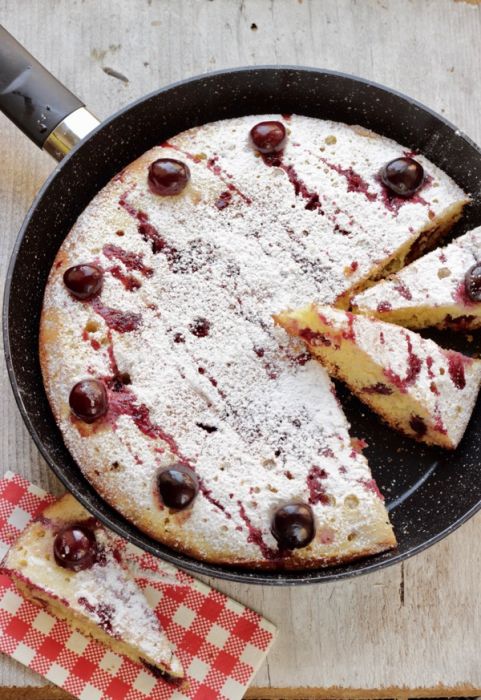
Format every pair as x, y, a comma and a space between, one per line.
75, 548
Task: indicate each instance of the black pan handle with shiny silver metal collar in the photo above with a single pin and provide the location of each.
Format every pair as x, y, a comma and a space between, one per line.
35, 101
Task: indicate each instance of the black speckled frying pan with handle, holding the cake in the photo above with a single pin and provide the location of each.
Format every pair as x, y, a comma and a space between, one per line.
429, 492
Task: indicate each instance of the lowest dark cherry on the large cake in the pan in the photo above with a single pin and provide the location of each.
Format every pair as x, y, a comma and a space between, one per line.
293, 525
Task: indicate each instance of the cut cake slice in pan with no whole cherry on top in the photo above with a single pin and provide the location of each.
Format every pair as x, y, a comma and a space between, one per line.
416, 386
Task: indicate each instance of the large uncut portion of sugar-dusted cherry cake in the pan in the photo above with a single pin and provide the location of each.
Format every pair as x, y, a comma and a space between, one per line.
183, 404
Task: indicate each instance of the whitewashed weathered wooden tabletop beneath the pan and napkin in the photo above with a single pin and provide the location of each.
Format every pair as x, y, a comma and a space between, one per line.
411, 630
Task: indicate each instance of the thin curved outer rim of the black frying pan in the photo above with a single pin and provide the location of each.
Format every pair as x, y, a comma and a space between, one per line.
250, 576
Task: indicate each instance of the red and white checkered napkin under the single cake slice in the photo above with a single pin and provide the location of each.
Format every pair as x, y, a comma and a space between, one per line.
220, 643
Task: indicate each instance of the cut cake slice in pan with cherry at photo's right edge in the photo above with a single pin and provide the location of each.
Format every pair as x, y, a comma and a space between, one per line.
442, 289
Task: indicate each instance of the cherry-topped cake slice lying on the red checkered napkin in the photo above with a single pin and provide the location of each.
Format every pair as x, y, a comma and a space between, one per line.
65, 562
